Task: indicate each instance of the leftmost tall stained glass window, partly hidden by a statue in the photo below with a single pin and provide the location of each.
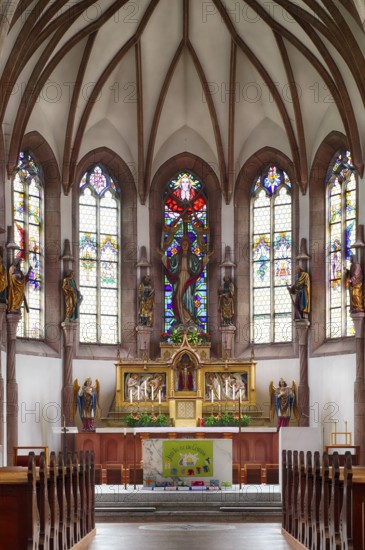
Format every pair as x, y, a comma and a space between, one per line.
28, 235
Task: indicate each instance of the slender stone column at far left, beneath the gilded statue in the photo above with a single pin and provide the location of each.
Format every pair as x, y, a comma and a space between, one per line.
12, 320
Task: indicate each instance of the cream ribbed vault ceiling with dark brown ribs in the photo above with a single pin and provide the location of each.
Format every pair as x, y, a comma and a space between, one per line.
152, 78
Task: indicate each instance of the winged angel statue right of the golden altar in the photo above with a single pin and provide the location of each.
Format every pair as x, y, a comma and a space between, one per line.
283, 401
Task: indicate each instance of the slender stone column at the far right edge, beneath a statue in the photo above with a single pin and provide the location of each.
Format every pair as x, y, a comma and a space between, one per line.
359, 394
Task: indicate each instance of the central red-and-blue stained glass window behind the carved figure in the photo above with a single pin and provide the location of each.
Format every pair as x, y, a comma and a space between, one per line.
185, 213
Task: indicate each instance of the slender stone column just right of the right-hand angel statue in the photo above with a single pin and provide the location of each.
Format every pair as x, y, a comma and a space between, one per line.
302, 326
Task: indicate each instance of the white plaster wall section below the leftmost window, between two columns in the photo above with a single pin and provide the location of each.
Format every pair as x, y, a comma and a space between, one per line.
39, 397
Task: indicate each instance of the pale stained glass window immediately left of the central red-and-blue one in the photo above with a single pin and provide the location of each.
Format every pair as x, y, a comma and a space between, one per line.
99, 257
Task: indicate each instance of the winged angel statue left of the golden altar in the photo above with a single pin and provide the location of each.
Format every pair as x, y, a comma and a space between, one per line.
86, 401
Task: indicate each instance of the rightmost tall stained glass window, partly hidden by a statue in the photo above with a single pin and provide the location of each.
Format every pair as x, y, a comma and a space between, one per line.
341, 235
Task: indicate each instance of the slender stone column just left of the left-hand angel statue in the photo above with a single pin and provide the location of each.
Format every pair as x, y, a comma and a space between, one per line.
69, 337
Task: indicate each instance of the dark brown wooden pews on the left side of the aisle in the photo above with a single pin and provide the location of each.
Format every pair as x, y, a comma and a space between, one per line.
48, 508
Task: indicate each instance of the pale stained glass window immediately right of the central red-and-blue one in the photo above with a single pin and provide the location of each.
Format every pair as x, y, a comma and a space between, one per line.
271, 209
